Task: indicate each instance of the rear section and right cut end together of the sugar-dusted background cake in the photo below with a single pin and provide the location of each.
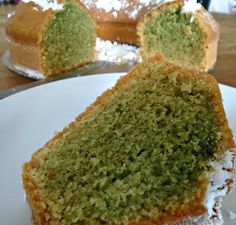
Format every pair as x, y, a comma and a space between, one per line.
181, 31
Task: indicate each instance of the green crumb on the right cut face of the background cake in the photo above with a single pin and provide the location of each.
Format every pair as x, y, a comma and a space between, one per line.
175, 35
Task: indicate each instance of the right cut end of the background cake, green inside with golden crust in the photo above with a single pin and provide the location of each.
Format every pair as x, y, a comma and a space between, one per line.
182, 32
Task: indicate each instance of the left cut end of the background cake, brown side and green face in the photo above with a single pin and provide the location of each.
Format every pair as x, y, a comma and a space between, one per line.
51, 37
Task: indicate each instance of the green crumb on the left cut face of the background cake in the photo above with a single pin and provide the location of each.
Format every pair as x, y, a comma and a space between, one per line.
68, 39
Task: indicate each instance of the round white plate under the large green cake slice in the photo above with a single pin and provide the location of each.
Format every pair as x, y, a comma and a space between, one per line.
30, 118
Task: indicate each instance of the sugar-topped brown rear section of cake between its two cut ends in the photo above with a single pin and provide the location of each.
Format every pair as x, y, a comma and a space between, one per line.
117, 19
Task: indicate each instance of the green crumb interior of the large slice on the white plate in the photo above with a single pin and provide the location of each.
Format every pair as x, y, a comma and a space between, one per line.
140, 153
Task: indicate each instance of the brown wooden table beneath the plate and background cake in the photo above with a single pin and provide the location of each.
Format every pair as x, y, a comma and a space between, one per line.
224, 71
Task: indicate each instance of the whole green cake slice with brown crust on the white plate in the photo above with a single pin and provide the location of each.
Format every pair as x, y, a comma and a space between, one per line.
147, 151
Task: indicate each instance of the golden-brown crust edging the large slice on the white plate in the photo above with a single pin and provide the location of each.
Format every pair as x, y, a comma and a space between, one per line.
41, 213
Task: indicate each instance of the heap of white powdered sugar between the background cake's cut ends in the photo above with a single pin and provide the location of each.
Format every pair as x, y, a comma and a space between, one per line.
115, 52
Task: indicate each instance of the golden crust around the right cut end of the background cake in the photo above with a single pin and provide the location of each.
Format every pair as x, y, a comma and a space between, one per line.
205, 20
